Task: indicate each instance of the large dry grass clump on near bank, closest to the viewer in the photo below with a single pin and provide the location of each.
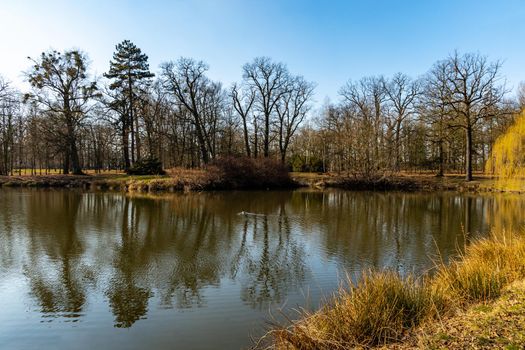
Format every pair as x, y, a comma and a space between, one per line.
377, 310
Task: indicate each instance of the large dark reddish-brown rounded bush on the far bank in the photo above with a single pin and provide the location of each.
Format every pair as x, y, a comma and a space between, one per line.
243, 172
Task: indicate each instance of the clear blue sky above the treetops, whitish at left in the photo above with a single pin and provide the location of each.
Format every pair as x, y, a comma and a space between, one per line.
328, 42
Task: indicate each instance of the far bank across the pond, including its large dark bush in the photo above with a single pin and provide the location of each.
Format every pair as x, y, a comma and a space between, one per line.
240, 175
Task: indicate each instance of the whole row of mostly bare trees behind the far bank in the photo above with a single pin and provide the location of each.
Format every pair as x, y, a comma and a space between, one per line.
446, 120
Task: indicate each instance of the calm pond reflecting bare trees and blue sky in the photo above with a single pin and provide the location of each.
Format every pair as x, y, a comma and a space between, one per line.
84, 270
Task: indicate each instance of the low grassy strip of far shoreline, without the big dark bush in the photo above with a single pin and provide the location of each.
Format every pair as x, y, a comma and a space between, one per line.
200, 180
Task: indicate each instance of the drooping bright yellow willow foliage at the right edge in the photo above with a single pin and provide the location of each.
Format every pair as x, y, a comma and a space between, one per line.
507, 160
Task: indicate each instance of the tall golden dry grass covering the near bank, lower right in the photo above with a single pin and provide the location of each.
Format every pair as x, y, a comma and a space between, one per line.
386, 310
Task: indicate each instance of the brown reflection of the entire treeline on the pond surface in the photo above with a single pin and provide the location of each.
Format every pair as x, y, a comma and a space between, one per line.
147, 252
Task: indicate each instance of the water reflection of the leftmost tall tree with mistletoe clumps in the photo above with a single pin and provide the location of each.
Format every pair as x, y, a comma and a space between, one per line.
56, 280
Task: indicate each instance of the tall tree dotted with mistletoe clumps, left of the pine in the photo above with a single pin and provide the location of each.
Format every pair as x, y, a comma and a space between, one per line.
62, 88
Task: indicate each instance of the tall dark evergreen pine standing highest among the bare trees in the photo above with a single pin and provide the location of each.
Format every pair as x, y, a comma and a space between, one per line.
129, 72
